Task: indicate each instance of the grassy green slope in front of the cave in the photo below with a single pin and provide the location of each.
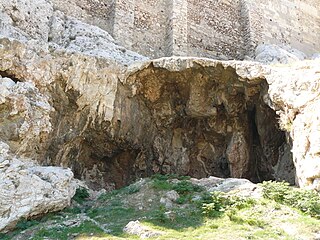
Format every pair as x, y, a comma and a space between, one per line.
208, 216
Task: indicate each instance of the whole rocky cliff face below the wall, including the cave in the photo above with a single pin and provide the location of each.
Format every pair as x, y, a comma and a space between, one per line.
71, 97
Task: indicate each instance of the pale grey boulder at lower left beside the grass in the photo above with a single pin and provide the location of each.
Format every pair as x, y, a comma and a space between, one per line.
28, 190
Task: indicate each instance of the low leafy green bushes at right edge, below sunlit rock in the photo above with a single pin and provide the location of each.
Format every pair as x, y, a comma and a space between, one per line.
306, 201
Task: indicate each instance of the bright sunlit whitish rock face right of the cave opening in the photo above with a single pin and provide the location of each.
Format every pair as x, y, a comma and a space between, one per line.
294, 93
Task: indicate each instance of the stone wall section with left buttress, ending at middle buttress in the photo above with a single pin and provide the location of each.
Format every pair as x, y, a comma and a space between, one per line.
141, 25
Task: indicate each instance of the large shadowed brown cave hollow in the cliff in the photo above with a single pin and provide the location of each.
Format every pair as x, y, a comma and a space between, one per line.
200, 122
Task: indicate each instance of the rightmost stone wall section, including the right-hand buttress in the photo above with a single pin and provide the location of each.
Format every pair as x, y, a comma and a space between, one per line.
290, 22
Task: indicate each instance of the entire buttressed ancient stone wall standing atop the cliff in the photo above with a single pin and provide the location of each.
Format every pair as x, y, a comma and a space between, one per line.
223, 29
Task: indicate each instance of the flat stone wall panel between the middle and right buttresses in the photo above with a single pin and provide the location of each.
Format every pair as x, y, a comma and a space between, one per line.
214, 29
